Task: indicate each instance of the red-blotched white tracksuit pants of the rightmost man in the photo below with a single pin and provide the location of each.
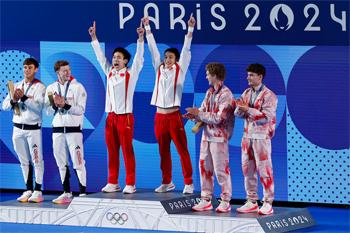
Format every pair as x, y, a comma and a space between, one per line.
256, 156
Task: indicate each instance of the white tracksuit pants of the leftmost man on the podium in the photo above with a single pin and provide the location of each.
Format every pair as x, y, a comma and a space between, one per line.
28, 147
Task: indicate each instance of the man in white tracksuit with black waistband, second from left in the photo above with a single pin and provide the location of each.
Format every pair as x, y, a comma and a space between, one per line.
68, 110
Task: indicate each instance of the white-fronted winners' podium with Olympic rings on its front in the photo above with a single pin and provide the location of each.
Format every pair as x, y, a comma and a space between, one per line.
141, 210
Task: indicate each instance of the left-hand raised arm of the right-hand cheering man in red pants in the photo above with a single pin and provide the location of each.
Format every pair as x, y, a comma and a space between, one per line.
152, 46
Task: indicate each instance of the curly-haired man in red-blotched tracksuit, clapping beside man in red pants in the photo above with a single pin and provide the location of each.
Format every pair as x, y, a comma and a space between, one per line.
217, 113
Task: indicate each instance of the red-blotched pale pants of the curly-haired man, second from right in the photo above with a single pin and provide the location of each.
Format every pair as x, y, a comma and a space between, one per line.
214, 157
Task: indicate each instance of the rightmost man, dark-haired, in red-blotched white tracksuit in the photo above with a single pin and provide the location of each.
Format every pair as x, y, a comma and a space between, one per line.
258, 107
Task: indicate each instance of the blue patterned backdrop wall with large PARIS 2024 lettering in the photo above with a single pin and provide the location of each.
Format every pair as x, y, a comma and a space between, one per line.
304, 47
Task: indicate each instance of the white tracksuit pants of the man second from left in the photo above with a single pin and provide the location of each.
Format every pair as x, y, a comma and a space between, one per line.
64, 143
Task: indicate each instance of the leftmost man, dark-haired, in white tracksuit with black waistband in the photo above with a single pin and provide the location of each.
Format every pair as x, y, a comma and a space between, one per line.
27, 139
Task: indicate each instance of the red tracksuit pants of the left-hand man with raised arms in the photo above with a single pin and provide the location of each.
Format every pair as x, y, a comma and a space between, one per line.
119, 131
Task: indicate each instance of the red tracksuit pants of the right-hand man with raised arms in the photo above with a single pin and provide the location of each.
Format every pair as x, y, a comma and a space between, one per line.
171, 127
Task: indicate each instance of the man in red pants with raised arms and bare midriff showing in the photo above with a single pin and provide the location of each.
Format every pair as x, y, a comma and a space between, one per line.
167, 93
